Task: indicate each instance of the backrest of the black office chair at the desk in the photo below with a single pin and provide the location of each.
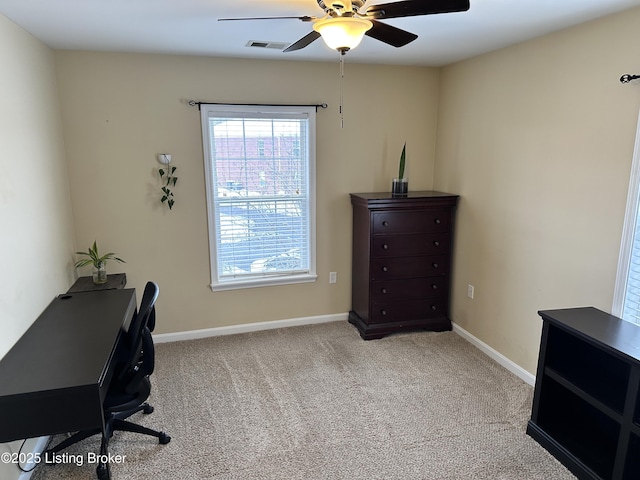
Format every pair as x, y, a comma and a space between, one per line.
136, 357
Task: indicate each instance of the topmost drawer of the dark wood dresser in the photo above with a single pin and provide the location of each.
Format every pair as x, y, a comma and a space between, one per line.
423, 221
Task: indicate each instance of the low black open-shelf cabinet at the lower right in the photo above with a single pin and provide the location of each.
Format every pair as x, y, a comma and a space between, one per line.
586, 406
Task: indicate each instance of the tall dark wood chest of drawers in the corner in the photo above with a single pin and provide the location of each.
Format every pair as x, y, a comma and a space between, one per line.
401, 262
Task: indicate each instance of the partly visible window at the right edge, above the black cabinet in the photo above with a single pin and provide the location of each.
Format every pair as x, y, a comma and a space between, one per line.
626, 299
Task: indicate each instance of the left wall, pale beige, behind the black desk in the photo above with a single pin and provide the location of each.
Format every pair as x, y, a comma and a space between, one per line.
37, 240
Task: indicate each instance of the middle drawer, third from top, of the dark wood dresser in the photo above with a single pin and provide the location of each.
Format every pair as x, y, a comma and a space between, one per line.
408, 267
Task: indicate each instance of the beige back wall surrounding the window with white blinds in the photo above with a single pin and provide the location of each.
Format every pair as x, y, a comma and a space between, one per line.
120, 110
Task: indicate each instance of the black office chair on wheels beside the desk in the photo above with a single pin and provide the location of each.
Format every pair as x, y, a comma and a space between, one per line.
130, 386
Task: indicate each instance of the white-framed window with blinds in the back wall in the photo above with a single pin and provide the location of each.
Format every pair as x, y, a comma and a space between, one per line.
260, 166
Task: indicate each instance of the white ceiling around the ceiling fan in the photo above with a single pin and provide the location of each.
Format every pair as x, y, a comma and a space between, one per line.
190, 27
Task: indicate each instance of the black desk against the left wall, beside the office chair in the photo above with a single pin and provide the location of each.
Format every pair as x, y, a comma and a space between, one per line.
55, 377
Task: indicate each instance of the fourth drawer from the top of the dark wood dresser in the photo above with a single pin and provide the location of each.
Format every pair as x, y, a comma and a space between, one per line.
430, 287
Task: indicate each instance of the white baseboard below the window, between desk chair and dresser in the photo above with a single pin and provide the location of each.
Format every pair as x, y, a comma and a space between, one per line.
247, 327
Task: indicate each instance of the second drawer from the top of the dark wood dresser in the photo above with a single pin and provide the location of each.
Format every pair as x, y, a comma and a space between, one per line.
407, 245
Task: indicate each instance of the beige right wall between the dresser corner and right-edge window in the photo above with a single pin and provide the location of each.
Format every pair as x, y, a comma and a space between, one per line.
538, 140
